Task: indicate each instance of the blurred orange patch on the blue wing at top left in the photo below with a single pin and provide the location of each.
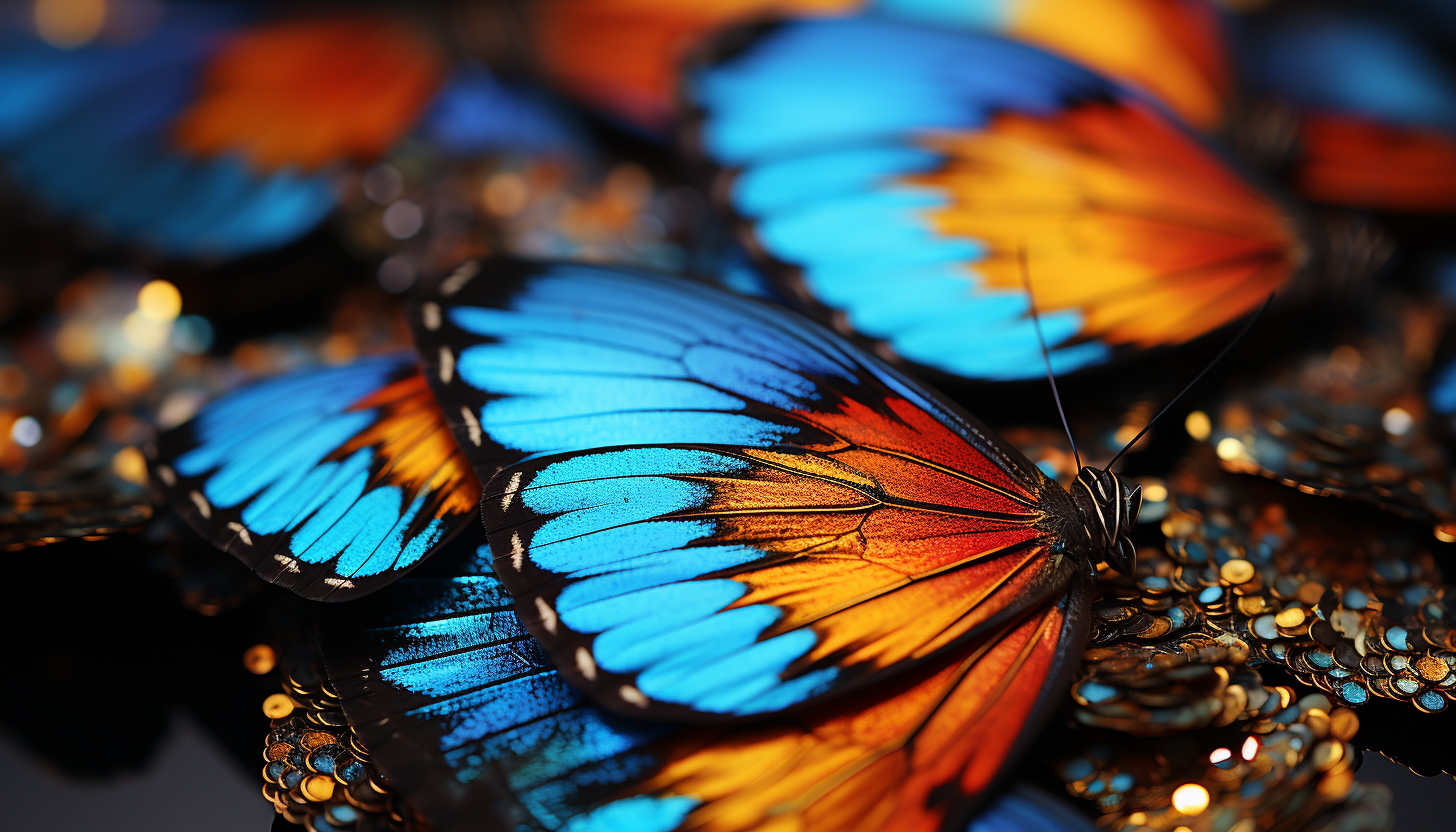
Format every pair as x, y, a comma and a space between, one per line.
311, 93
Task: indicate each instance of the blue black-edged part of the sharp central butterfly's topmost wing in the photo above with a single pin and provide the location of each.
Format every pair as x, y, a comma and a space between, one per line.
529, 359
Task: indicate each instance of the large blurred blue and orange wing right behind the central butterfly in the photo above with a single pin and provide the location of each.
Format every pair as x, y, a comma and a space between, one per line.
935, 158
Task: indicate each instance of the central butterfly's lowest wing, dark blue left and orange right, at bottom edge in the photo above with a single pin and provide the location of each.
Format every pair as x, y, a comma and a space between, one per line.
467, 718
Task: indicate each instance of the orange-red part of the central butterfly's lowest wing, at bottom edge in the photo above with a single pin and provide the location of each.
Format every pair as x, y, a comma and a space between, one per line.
914, 754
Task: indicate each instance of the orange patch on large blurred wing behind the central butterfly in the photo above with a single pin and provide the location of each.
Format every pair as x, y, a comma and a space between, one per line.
1125, 218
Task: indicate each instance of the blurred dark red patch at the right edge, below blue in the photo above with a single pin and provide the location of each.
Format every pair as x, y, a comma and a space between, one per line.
1349, 161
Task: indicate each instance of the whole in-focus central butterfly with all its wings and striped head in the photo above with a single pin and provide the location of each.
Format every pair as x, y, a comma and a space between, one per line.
705, 511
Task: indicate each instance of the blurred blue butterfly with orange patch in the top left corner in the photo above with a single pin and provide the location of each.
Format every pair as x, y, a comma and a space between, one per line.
209, 130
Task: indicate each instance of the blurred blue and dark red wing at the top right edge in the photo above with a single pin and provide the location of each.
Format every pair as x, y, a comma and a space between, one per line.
1375, 109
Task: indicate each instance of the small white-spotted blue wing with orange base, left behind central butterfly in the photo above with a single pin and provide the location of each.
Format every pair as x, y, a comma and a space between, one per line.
330, 483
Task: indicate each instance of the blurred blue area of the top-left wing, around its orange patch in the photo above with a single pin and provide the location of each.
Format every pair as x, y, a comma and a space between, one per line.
88, 130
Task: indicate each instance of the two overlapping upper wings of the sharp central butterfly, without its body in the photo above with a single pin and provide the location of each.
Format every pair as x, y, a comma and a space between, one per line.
869, 522
